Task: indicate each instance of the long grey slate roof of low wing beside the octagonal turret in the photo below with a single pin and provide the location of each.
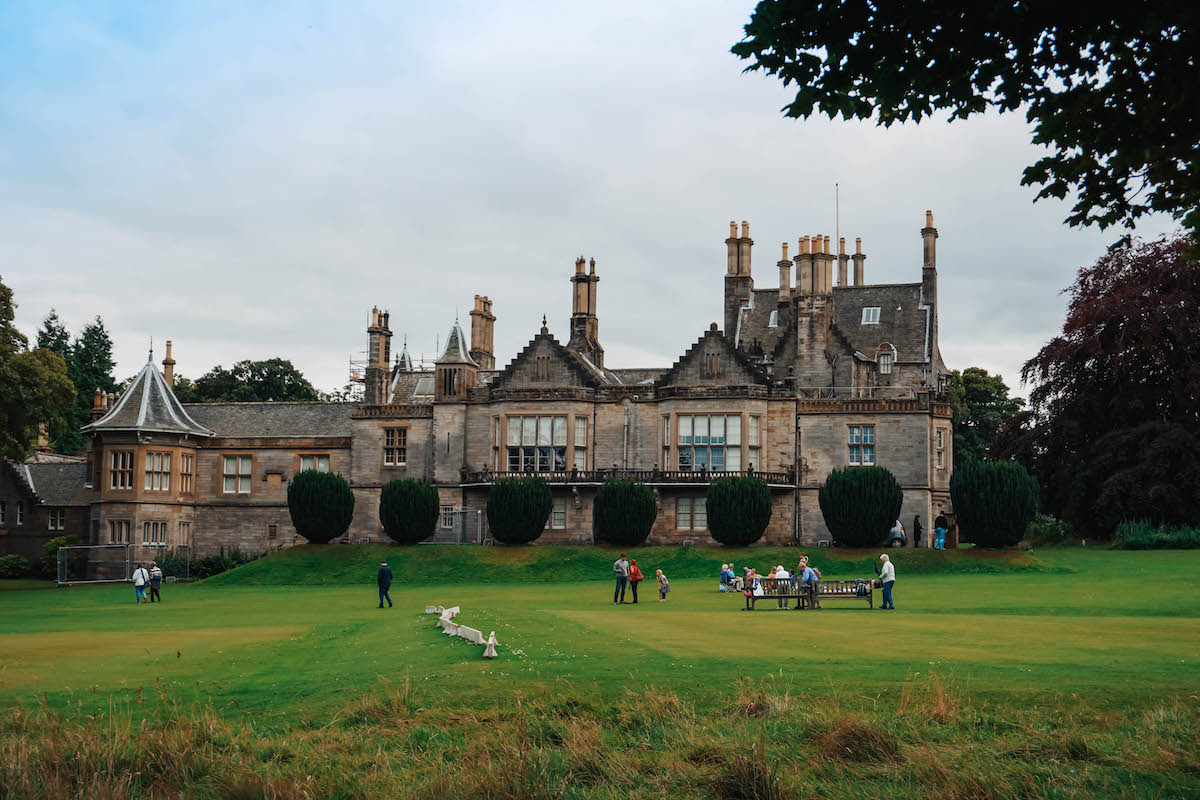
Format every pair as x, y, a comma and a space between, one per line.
274, 419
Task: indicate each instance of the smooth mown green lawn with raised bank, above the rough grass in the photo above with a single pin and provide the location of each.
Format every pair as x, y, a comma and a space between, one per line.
1072, 633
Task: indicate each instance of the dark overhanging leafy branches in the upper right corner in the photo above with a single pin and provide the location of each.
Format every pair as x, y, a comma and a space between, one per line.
1111, 91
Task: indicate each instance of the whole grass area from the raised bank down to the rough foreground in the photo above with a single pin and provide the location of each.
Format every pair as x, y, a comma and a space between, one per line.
1094, 652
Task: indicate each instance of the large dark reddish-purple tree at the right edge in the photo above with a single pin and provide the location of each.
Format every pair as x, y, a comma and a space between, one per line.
1112, 435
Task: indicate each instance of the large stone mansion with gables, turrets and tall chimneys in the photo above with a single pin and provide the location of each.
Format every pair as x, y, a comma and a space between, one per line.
820, 372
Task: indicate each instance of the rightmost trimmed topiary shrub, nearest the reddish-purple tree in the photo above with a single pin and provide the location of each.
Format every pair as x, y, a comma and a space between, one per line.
994, 502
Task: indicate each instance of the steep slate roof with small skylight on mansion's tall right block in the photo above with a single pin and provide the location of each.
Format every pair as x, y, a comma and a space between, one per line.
903, 322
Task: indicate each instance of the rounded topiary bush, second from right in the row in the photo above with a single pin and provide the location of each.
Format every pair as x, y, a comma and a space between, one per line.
860, 506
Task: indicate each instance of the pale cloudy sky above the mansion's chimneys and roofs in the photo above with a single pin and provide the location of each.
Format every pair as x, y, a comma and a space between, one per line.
249, 181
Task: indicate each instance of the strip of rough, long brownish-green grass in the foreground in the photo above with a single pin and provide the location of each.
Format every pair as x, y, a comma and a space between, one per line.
567, 743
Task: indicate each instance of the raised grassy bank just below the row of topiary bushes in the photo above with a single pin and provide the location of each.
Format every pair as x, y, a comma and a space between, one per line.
437, 564
